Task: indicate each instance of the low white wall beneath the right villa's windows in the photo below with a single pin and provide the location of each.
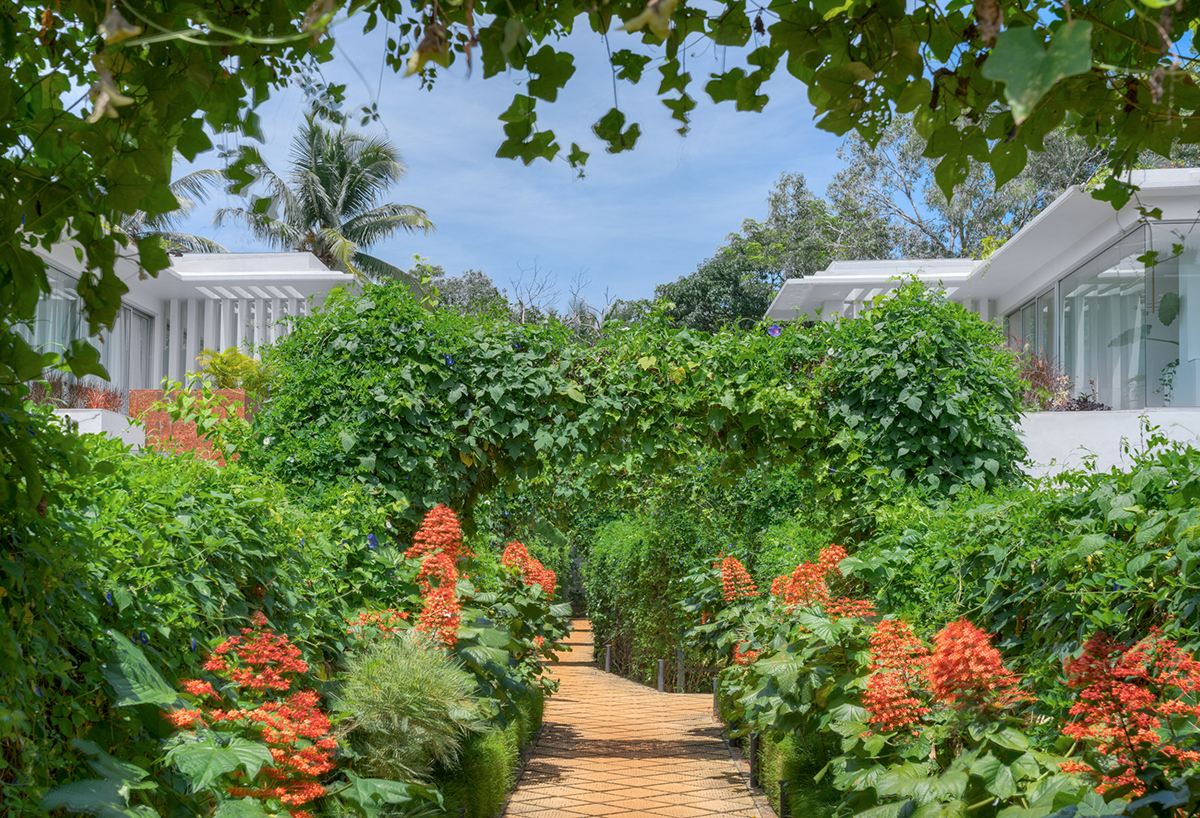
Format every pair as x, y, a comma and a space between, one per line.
1060, 441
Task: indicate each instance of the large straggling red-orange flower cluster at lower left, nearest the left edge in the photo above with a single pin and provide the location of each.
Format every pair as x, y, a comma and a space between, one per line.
293, 727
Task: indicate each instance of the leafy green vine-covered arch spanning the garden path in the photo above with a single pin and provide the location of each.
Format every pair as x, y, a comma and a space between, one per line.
433, 407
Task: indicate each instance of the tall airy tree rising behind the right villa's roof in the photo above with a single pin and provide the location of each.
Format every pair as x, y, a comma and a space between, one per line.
897, 182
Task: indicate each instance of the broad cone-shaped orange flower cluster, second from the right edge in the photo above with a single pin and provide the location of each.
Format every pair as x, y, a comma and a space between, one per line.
968, 672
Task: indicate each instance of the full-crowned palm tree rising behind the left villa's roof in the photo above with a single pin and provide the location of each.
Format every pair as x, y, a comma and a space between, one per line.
329, 209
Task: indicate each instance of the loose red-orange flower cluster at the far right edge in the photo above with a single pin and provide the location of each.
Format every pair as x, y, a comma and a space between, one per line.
1127, 696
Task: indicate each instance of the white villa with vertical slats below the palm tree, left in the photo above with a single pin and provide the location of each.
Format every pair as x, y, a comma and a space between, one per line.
201, 302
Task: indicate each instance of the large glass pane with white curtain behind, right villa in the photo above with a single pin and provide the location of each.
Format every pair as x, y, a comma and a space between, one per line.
1105, 327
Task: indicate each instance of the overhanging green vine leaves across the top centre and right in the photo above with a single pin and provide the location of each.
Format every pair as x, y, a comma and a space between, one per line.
985, 81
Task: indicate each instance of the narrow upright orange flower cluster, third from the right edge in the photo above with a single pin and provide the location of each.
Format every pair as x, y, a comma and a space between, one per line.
899, 664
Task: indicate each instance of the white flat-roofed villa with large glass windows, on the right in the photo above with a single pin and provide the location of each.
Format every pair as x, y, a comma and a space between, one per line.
1075, 285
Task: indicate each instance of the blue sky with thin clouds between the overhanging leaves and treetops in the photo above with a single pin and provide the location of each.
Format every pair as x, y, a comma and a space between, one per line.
637, 220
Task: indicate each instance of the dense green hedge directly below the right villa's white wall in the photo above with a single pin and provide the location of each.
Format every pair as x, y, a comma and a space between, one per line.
1047, 566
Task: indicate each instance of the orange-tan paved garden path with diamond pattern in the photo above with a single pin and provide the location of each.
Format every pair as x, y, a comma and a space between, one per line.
614, 748
